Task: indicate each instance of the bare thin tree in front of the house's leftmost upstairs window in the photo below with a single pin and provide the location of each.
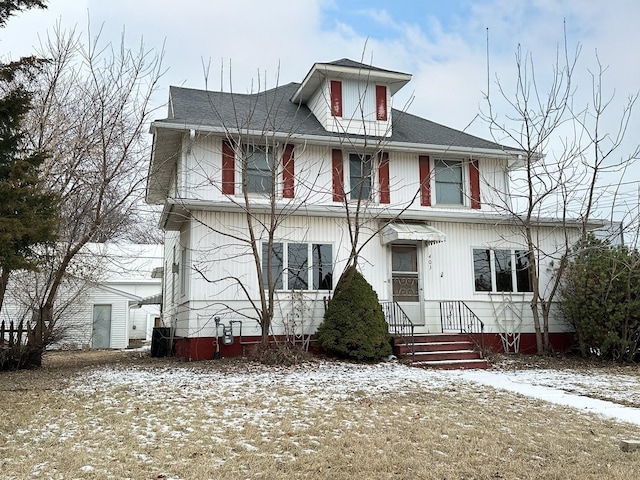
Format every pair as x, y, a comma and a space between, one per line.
265, 154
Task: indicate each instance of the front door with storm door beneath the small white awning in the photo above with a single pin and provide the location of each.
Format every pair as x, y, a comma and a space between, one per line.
405, 278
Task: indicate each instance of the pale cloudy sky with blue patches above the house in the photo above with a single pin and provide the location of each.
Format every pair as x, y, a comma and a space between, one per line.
443, 44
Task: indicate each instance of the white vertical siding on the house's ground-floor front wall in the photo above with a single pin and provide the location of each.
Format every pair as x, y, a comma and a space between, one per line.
446, 271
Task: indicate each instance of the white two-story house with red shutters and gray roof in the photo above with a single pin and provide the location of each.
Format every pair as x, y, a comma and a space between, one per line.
308, 161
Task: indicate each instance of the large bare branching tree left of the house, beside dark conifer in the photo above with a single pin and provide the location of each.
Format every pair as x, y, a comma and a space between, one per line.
91, 112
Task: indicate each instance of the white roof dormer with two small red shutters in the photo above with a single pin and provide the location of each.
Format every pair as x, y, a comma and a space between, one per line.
351, 97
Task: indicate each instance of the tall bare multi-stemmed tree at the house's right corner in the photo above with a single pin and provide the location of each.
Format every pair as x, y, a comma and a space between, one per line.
563, 188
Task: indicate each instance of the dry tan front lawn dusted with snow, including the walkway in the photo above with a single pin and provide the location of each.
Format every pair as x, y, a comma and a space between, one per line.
145, 418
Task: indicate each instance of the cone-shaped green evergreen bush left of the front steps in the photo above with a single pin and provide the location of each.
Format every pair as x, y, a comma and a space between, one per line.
354, 325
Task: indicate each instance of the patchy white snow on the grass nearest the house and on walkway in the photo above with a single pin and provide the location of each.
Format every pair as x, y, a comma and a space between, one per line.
319, 386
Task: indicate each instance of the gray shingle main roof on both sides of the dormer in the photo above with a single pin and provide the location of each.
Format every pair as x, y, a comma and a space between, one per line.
273, 111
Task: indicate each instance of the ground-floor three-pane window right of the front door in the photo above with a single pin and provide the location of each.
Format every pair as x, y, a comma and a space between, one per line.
501, 270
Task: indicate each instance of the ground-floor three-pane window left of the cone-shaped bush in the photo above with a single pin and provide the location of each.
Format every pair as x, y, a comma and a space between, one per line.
299, 266
